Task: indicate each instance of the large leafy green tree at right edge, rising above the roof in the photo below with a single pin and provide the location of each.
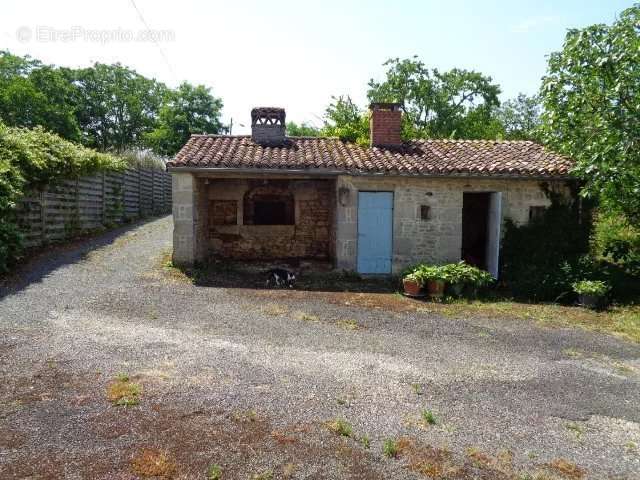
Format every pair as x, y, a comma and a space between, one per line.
591, 97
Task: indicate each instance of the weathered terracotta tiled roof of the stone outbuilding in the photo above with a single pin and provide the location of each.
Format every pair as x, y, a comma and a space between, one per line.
417, 157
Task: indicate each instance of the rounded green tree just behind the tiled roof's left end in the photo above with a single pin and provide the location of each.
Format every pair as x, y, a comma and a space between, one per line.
187, 110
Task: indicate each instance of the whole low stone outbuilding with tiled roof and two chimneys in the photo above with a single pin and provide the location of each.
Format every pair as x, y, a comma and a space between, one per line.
373, 209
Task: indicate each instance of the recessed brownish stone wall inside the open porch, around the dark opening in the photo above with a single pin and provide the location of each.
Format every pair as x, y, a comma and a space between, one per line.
310, 236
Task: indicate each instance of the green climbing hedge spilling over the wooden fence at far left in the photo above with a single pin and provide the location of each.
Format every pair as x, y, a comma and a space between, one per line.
30, 159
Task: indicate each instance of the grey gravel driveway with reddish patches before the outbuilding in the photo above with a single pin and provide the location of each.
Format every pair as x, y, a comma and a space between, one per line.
252, 380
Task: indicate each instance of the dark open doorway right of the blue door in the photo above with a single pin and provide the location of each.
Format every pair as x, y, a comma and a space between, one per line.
475, 217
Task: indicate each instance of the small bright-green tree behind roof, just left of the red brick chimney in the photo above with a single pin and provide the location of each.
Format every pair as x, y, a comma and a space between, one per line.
345, 120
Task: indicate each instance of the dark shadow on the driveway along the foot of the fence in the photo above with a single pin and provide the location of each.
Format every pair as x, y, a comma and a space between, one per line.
39, 262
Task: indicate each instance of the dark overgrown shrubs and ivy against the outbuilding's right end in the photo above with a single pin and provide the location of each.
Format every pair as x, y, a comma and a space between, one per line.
545, 258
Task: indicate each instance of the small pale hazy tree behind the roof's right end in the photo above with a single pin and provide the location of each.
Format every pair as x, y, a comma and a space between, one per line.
520, 117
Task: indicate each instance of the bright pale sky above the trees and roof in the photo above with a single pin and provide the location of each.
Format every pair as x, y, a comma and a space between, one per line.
297, 54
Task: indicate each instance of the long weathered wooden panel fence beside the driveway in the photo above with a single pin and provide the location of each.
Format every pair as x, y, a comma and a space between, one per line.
71, 207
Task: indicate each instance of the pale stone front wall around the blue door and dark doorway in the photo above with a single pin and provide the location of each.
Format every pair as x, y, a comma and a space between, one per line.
438, 238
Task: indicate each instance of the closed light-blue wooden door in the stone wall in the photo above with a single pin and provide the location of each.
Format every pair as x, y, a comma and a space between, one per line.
375, 232
